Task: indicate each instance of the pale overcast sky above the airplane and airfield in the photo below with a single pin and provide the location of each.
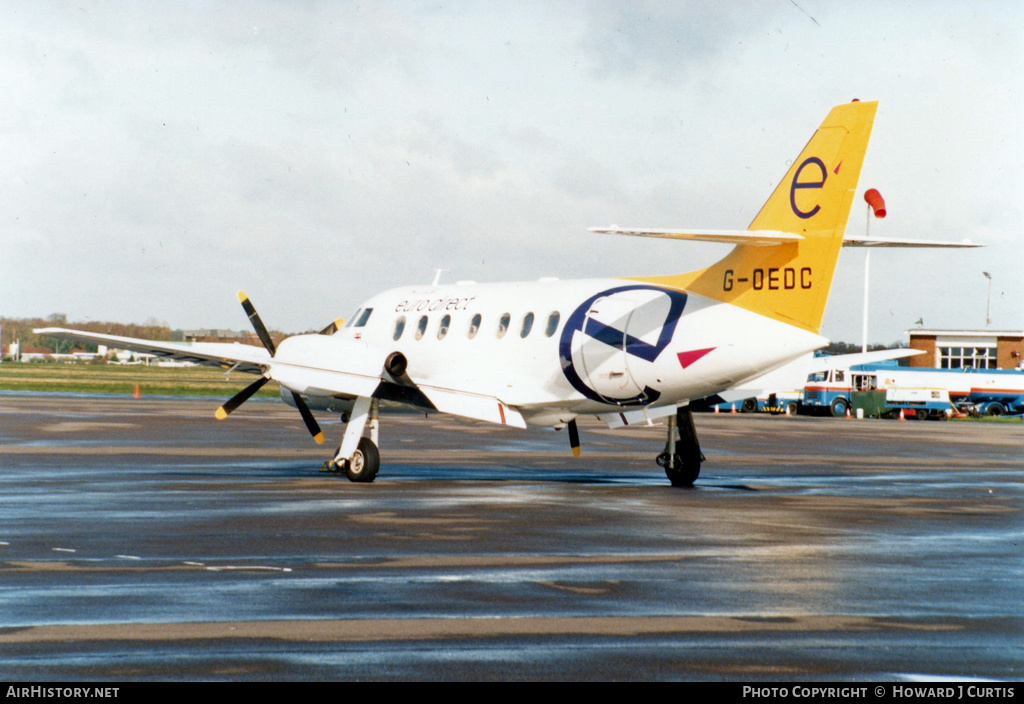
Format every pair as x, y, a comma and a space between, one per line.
159, 157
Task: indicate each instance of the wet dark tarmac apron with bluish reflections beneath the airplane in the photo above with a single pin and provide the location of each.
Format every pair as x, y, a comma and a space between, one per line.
142, 540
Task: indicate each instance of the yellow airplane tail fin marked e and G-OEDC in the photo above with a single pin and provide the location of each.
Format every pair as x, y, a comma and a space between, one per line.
791, 282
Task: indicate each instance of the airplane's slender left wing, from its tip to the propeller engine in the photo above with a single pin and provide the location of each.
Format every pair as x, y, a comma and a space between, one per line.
226, 356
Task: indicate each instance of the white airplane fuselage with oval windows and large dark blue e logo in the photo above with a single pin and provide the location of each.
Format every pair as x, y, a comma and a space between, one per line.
556, 349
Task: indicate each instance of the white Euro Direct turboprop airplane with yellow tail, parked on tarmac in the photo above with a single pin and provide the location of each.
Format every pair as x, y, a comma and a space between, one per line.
543, 354
